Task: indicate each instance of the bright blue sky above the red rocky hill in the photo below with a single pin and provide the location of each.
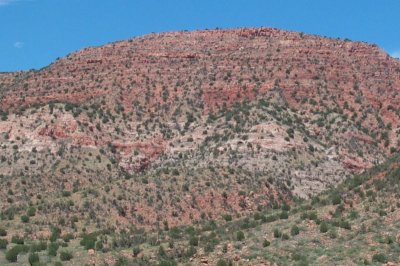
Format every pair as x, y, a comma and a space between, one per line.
33, 33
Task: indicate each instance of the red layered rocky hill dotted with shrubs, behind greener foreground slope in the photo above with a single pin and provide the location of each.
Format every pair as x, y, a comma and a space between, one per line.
178, 129
